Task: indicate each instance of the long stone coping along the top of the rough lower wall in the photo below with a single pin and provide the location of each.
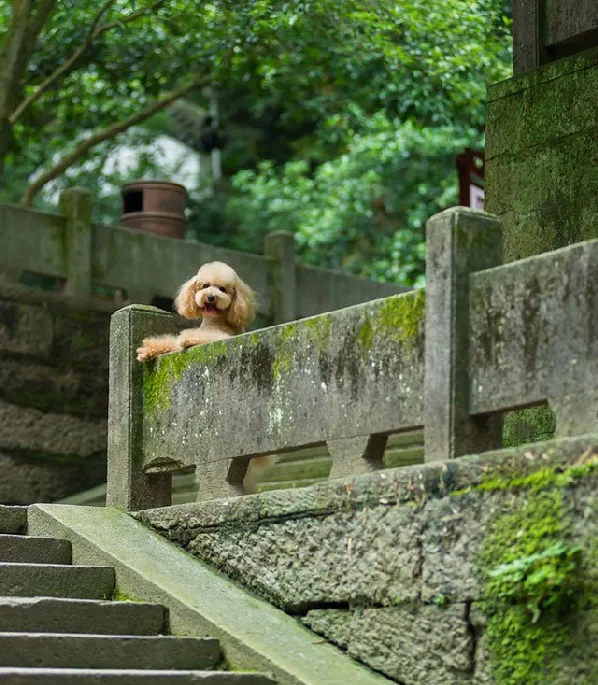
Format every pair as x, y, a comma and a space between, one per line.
402, 485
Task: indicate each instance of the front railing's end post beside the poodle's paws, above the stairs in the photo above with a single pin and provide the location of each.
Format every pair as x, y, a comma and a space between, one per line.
127, 486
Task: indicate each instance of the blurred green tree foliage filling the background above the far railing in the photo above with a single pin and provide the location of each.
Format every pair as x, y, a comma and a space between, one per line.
343, 119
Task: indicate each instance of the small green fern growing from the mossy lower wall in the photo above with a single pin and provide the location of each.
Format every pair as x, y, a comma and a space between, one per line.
542, 580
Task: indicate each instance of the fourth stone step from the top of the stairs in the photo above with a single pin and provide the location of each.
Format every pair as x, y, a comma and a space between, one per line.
97, 616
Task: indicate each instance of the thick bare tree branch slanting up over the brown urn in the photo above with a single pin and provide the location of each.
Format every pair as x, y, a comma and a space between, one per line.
106, 134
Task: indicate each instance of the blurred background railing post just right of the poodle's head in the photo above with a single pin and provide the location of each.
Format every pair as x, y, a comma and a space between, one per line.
279, 250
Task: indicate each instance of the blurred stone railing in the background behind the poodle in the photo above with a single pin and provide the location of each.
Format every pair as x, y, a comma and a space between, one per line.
133, 266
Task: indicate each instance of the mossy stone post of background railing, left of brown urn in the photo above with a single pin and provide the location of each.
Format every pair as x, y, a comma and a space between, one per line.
75, 205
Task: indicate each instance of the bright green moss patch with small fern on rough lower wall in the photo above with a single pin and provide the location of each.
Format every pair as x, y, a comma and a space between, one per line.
532, 582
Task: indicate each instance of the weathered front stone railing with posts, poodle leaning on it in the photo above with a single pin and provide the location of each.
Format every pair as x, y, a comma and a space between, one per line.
480, 340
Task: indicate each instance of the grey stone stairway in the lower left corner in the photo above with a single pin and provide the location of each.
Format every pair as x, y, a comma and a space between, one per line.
58, 624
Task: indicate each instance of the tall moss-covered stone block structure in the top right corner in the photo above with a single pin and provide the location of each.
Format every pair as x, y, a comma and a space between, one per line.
542, 130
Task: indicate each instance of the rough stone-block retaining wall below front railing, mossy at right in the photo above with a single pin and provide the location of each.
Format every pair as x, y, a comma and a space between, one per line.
395, 567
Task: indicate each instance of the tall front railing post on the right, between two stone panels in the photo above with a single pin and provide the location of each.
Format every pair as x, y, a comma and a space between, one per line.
459, 242
